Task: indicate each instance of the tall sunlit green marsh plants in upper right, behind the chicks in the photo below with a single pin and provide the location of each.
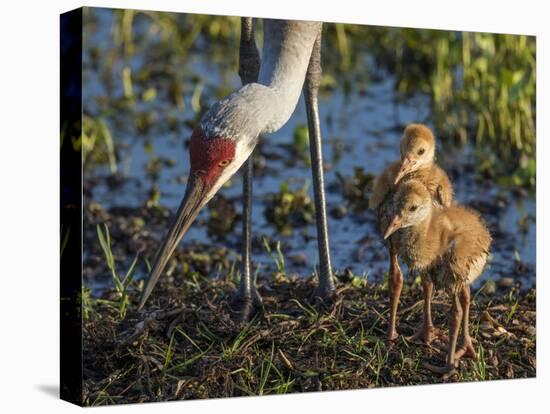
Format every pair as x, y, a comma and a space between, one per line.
482, 88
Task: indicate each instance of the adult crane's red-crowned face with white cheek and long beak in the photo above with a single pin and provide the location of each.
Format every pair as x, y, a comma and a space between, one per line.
213, 161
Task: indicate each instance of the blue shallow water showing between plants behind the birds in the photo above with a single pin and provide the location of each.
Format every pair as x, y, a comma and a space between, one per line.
364, 124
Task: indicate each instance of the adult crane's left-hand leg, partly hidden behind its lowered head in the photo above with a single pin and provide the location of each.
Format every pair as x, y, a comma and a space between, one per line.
247, 299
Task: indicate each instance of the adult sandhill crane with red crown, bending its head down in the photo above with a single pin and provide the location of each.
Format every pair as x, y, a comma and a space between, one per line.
229, 131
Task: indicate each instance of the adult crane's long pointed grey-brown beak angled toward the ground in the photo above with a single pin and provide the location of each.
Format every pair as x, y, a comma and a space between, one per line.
193, 201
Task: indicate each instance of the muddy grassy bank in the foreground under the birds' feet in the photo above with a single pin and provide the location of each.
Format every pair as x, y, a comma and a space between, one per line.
186, 346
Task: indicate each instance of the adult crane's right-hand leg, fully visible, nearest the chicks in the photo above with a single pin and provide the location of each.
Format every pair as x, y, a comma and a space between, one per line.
325, 289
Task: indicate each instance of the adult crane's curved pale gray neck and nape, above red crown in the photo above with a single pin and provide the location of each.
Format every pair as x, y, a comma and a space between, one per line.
264, 107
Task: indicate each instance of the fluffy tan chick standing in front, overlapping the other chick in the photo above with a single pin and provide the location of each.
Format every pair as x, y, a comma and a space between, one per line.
450, 245
